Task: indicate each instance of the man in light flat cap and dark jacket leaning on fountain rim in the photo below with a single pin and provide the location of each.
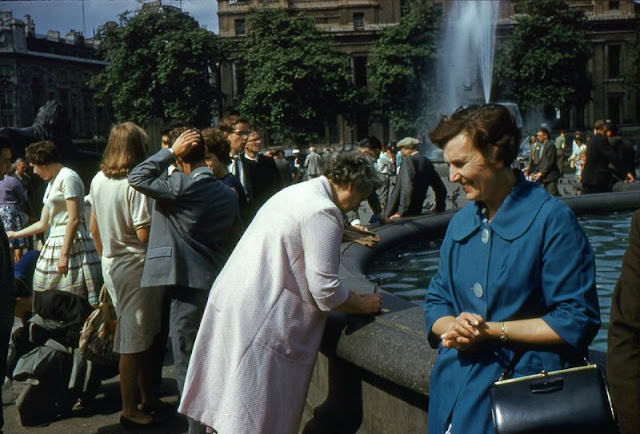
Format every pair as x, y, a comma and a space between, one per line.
416, 175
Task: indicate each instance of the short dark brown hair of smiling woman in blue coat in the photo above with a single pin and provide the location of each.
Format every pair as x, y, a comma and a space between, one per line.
487, 125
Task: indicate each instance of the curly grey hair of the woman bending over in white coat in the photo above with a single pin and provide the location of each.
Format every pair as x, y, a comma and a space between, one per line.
353, 168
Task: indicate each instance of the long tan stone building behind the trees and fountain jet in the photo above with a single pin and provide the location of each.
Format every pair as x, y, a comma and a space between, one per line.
356, 24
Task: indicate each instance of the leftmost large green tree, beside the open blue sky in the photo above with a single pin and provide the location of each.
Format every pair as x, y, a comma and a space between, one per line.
160, 62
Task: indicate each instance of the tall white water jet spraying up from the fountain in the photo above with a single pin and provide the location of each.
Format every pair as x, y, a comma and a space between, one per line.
465, 54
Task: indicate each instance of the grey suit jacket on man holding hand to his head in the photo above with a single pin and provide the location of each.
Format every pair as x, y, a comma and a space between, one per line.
191, 219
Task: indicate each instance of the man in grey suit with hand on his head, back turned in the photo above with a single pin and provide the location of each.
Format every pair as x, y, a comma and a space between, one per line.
192, 215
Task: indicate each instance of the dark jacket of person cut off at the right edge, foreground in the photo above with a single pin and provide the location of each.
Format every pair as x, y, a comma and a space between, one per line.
623, 352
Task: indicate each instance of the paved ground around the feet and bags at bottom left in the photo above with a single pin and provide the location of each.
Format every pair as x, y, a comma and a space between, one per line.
103, 417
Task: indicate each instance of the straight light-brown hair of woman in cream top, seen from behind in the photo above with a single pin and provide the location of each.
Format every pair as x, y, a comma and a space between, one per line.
126, 147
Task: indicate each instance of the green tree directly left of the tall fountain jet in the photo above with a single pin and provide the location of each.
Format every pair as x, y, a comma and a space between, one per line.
399, 67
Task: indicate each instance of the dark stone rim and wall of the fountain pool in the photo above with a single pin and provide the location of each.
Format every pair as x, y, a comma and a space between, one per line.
373, 376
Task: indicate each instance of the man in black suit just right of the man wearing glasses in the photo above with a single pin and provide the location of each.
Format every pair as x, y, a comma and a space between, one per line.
262, 173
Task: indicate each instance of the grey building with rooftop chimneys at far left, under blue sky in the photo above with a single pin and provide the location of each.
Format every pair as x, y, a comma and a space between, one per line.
36, 68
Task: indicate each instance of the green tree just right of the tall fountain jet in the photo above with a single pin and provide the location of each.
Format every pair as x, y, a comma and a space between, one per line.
545, 61
